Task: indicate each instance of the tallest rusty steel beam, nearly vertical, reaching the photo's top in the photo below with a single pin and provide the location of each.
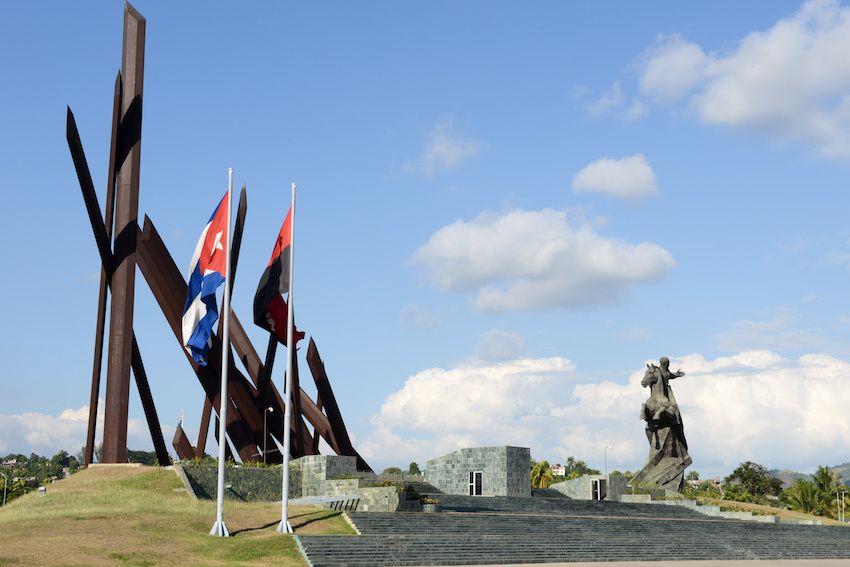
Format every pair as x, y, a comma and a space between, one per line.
126, 213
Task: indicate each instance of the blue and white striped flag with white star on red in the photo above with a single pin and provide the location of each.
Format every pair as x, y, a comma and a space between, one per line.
206, 273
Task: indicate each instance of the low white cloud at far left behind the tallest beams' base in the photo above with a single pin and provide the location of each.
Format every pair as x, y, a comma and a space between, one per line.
48, 434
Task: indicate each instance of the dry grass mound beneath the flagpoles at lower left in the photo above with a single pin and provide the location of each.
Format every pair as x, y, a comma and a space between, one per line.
143, 516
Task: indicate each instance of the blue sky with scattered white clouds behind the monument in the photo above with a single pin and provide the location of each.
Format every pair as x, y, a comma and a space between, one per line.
504, 212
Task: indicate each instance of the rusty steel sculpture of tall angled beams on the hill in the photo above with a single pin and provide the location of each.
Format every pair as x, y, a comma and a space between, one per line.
122, 246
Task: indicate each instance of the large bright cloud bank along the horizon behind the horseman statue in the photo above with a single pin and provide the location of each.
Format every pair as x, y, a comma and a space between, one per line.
755, 405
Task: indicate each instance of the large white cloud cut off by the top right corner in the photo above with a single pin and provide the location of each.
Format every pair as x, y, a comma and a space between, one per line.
789, 81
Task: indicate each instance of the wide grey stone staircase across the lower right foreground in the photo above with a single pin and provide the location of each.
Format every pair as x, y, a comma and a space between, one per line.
511, 531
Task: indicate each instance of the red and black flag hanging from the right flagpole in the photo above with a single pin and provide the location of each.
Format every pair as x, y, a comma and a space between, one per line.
270, 310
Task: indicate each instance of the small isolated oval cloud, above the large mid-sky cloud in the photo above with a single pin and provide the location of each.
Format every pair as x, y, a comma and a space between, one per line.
628, 177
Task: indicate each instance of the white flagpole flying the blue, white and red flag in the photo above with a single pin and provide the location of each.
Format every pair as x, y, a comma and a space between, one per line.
219, 529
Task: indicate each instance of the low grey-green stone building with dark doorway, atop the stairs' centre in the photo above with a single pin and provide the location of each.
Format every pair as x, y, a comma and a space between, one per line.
482, 471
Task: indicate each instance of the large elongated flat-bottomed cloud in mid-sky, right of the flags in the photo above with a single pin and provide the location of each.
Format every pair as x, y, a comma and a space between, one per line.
535, 260
